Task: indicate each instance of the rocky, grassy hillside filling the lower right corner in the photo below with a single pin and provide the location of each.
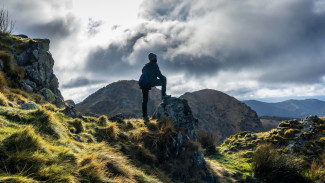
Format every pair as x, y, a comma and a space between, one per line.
292, 152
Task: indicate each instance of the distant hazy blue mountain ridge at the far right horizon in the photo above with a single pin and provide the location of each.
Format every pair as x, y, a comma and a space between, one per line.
288, 108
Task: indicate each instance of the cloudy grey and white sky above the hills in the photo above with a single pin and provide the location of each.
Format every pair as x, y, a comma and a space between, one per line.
249, 49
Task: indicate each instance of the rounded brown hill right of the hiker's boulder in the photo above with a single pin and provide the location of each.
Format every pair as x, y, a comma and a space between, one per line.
221, 114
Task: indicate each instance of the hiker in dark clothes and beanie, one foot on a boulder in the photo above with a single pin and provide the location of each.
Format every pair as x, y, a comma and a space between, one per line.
148, 79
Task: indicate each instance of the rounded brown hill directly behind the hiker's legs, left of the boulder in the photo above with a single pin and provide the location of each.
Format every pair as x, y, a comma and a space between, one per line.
119, 97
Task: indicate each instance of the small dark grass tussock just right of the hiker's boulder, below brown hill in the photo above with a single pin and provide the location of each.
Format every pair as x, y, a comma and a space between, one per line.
208, 142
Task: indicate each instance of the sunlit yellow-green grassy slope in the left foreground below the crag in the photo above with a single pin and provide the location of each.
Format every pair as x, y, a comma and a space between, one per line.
38, 145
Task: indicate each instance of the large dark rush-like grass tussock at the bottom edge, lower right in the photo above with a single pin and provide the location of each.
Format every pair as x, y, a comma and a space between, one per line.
272, 166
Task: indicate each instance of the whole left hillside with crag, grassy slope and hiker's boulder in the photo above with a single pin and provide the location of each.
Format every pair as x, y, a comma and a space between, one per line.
44, 140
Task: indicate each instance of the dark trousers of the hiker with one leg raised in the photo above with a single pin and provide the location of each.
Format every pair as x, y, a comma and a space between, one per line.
145, 93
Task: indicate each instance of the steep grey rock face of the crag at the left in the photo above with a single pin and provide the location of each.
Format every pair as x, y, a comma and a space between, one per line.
37, 62
